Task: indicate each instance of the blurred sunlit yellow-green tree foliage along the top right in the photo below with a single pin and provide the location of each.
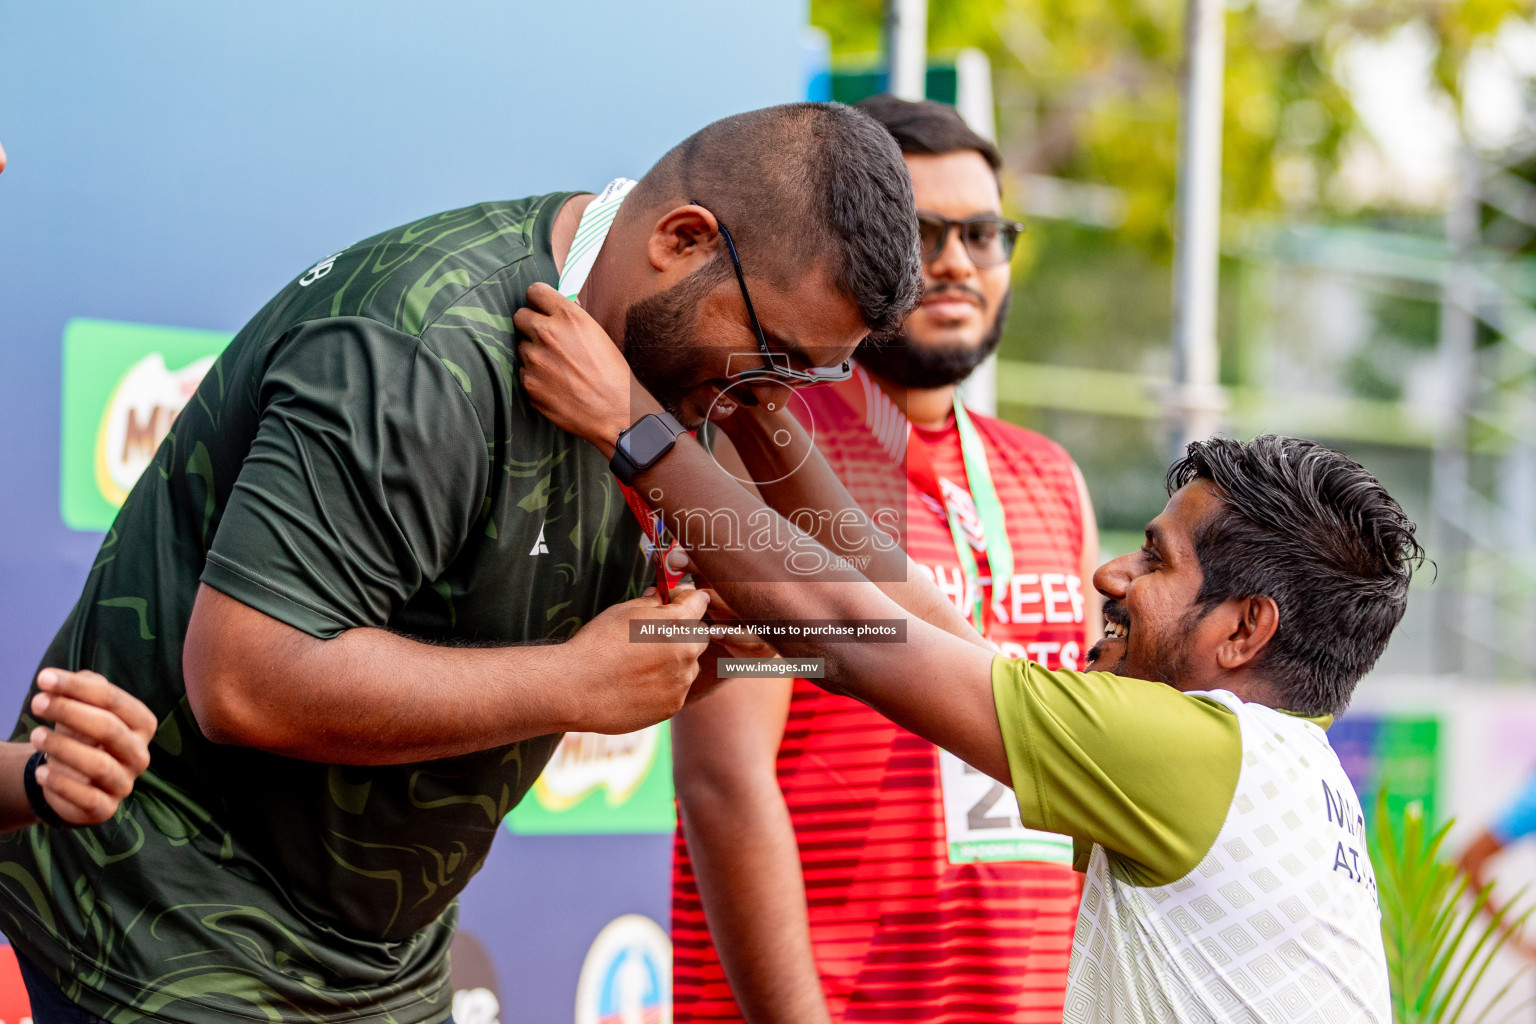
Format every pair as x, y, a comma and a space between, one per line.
1088, 90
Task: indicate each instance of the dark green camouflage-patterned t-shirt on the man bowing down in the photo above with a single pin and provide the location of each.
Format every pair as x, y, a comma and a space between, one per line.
362, 455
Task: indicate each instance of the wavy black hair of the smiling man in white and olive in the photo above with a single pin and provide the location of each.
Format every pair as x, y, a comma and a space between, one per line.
1323, 538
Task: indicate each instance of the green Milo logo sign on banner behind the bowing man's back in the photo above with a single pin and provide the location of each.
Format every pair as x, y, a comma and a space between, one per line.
125, 385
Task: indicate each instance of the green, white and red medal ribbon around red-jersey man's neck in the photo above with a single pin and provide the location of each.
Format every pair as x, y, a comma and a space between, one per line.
919, 461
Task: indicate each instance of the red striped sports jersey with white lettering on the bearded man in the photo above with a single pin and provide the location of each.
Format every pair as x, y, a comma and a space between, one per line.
901, 933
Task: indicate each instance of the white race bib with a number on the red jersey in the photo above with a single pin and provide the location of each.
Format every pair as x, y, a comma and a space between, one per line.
982, 821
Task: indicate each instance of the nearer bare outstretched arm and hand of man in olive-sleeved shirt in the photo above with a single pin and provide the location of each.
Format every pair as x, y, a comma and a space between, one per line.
935, 684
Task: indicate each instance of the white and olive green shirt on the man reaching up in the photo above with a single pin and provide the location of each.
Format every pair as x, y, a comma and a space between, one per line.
1228, 877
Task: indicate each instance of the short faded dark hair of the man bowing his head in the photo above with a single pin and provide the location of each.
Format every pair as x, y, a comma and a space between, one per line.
804, 185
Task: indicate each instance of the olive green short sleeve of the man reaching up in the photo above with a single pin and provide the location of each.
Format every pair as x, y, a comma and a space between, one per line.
1134, 767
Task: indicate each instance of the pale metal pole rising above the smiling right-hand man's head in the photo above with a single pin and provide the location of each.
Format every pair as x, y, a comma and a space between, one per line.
1197, 403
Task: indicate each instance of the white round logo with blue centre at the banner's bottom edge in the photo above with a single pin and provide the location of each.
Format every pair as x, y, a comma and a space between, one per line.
627, 976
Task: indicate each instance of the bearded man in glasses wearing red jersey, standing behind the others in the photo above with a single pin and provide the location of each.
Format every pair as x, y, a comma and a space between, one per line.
830, 865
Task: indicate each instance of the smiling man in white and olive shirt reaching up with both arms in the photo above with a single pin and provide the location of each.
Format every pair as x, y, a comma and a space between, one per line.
1228, 877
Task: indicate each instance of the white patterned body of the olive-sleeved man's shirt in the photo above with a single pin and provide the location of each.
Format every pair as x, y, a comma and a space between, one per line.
1279, 923
